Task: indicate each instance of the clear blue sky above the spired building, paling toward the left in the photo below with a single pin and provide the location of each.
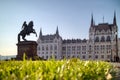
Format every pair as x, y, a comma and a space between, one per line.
71, 16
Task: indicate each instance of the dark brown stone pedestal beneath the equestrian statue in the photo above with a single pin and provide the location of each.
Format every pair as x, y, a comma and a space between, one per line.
29, 48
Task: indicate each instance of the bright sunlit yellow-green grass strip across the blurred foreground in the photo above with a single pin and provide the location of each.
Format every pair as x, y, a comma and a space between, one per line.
73, 69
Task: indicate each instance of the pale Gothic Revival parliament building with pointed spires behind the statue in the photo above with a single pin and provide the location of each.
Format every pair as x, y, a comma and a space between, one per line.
102, 44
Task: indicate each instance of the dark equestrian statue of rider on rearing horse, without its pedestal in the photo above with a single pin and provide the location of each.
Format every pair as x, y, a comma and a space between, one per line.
26, 30
